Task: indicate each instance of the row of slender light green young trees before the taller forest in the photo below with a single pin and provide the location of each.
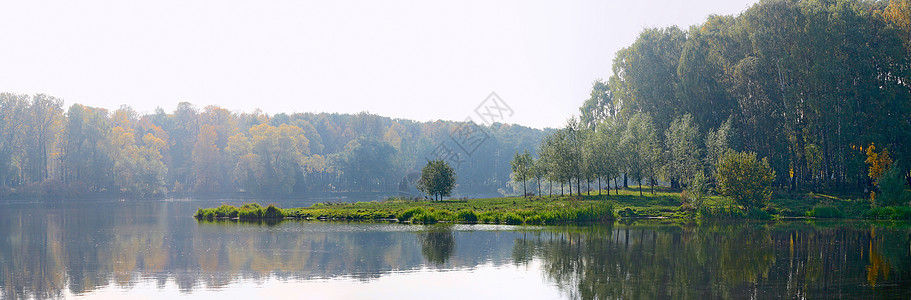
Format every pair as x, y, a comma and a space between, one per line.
615, 149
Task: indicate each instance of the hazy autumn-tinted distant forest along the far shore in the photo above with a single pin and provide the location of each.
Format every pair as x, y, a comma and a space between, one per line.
46, 151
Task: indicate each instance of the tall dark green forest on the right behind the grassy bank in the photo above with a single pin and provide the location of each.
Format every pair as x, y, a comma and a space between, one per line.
818, 88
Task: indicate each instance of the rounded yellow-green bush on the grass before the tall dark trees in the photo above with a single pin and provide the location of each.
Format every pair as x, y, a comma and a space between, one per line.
745, 179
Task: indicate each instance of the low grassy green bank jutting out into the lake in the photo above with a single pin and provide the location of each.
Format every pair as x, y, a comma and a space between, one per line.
625, 204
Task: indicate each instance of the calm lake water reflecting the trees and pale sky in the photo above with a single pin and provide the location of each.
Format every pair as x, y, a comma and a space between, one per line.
154, 249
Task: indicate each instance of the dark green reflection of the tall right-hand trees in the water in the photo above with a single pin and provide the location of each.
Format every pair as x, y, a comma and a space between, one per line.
725, 260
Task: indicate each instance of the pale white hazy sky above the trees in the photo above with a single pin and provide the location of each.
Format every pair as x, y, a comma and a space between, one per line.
422, 60
